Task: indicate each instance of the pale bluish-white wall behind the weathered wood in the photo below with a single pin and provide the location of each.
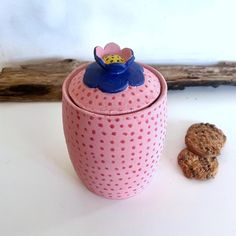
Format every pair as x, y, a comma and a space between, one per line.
180, 31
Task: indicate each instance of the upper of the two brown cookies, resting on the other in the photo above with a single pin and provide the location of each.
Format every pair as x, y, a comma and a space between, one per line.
205, 139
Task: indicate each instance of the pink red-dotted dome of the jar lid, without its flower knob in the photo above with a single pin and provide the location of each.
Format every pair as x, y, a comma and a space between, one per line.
129, 100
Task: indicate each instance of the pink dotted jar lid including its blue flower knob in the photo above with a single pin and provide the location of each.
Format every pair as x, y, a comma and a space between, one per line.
114, 84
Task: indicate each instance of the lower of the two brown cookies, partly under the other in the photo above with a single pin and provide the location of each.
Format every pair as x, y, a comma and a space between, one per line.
197, 167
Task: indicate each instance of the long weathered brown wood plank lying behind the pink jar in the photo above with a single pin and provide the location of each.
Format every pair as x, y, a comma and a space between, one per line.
43, 81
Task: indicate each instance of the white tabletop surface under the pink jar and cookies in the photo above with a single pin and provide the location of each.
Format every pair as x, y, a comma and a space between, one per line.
40, 193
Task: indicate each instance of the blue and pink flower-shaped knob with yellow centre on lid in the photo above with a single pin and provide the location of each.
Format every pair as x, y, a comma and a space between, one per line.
114, 69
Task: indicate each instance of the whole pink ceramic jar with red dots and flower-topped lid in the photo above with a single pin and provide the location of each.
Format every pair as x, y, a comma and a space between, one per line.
114, 117
